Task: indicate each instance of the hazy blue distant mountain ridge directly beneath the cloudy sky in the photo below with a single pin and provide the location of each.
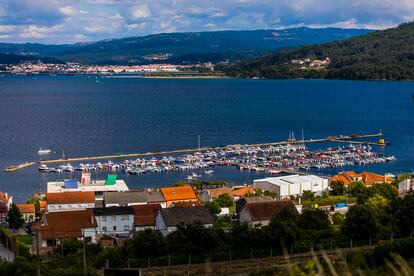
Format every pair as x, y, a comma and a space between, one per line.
190, 47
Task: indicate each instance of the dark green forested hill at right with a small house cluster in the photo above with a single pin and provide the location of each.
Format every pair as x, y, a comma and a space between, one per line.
387, 54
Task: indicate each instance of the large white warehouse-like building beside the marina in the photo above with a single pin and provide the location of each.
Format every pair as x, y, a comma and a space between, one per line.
286, 186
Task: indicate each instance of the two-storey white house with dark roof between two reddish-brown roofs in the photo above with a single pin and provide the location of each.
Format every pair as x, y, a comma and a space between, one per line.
116, 221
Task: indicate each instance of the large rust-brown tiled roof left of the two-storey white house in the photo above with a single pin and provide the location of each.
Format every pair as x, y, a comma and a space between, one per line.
67, 224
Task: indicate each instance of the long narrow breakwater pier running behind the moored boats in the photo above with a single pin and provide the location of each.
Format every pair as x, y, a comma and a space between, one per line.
343, 139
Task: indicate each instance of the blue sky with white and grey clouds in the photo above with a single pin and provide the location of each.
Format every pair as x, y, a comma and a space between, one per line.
70, 21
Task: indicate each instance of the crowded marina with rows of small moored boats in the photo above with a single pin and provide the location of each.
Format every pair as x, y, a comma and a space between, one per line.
272, 158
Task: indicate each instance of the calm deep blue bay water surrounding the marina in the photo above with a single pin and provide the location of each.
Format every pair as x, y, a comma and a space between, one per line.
85, 117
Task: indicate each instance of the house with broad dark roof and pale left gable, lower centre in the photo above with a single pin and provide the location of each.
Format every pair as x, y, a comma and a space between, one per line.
168, 218
